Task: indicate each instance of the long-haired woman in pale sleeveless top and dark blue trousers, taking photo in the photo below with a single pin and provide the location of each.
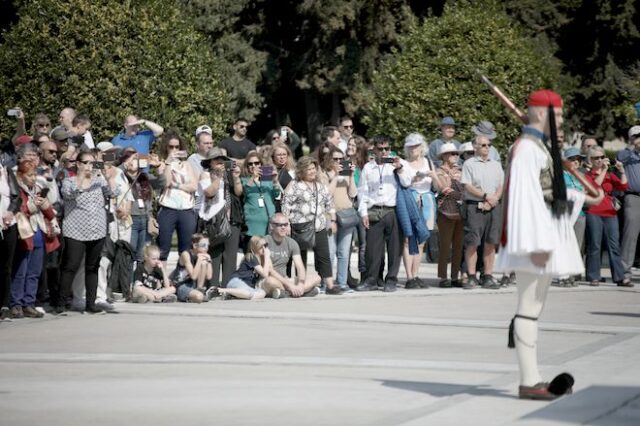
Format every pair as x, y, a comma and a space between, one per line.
177, 199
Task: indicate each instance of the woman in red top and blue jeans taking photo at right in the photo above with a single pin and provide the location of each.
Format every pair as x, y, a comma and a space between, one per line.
602, 219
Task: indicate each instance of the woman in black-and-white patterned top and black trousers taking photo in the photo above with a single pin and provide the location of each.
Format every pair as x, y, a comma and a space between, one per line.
84, 228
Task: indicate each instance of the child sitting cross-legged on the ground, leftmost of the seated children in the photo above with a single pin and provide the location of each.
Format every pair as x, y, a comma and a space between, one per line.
150, 281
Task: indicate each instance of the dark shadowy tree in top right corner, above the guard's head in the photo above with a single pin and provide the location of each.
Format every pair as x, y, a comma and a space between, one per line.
598, 43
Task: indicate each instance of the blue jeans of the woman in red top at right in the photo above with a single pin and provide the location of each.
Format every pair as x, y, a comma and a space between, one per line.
596, 227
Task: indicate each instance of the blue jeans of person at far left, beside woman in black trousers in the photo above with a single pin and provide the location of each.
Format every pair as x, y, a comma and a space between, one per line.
24, 285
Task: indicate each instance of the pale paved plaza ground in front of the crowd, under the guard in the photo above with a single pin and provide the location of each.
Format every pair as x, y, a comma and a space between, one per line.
414, 357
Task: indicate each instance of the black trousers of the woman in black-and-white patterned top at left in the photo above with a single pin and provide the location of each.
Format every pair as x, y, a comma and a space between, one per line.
73, 252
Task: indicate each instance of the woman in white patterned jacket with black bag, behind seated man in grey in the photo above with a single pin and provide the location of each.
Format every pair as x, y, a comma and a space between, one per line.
307, 203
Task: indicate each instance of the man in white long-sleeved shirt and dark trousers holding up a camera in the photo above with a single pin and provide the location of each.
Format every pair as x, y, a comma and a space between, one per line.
377, 195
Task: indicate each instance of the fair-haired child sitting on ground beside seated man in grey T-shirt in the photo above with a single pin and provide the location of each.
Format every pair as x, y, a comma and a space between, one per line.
246, 281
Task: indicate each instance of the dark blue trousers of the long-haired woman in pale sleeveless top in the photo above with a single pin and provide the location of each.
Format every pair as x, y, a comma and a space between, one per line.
169, 220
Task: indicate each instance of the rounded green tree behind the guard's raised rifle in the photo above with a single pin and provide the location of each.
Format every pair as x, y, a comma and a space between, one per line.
432, 73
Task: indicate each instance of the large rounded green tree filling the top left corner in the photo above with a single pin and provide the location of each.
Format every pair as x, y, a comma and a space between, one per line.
111, 58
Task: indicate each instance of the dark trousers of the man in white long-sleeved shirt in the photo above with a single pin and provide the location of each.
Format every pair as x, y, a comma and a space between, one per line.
384, 231
